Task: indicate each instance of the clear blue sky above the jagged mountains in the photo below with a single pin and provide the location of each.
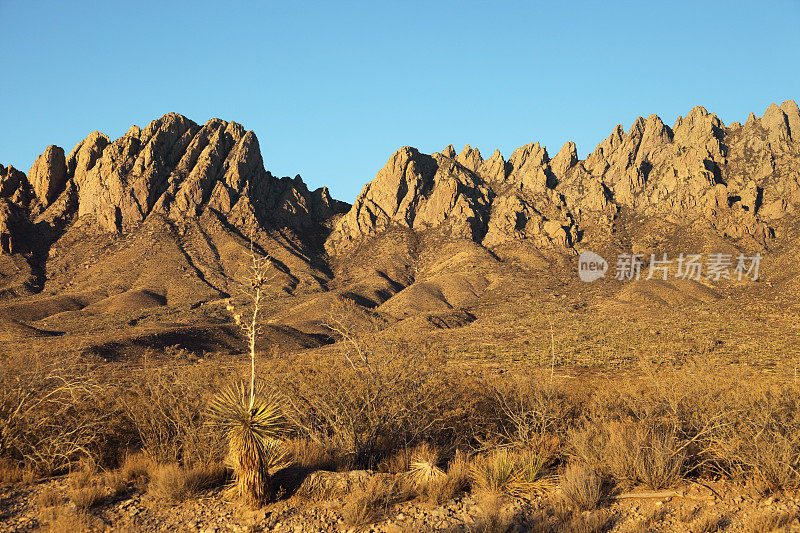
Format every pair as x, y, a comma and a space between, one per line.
333, 88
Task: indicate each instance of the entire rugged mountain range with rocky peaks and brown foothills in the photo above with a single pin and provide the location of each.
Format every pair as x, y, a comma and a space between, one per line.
138, 241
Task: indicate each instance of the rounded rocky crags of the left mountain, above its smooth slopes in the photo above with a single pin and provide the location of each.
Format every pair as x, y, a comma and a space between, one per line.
173, 167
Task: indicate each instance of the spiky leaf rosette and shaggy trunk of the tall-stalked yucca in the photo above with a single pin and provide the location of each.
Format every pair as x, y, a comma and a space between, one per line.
252, 424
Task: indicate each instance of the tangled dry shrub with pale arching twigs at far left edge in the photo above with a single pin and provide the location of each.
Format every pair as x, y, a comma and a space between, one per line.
52, 414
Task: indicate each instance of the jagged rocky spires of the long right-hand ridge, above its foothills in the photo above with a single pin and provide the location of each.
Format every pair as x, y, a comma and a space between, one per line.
736, 180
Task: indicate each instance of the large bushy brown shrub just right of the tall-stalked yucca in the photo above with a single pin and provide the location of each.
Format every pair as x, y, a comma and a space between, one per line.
370, 406
